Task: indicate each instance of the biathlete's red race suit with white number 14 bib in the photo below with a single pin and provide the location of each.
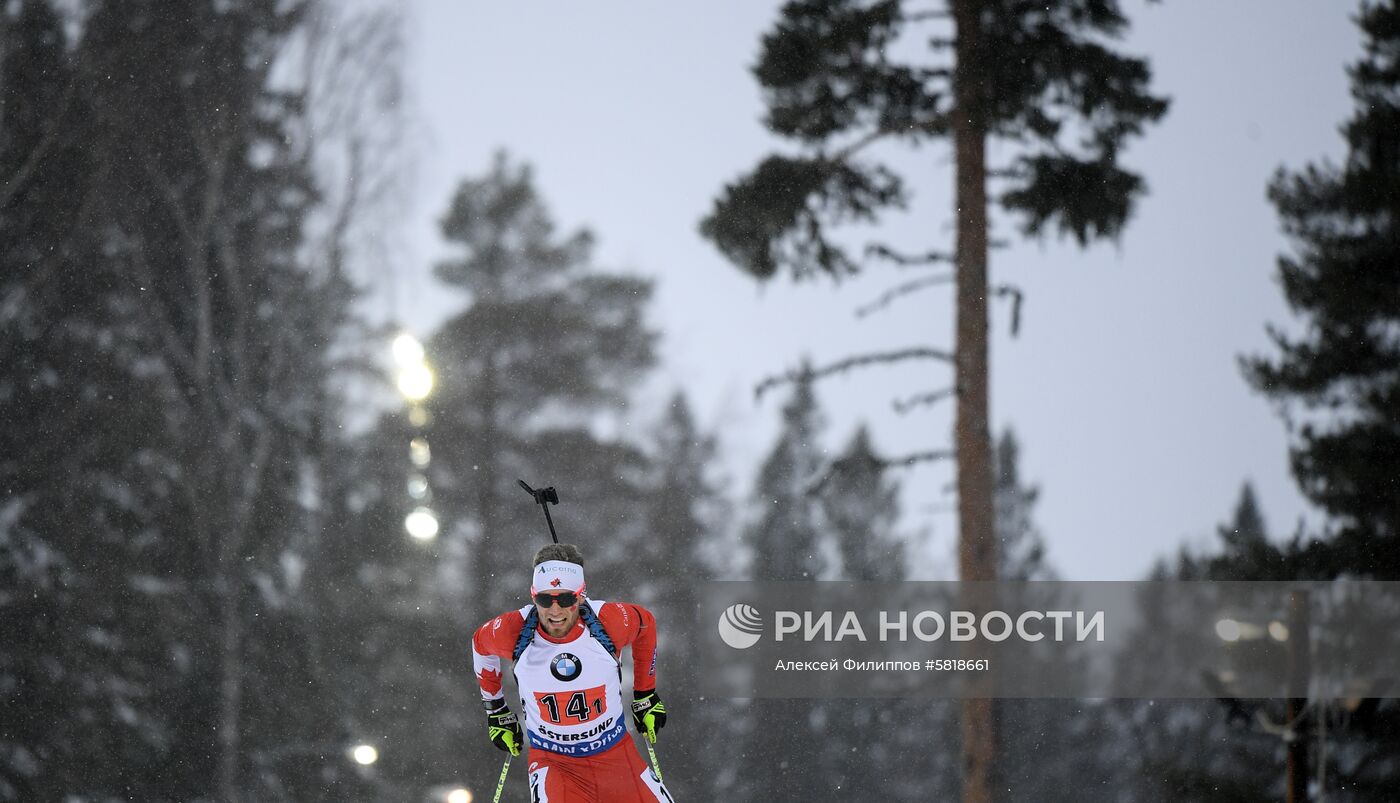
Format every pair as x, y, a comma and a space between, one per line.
572, 702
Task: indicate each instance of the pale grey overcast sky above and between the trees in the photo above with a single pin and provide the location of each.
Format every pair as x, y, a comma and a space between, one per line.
1123, 385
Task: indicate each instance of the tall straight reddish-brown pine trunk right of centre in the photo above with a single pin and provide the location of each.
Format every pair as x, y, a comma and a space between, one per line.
976, 546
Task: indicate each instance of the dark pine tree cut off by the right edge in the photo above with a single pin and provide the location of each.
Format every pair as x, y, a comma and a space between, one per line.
1338, 380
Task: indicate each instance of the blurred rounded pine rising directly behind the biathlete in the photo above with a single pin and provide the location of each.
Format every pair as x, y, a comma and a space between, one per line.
547, 345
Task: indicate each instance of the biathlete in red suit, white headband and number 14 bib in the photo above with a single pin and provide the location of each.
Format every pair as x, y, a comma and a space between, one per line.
568, 664
